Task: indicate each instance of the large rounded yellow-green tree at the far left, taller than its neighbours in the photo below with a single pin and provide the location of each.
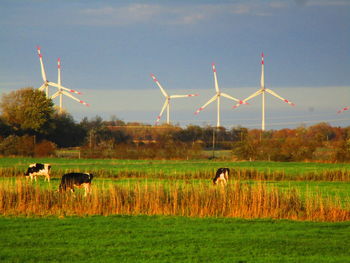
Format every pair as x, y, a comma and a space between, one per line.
27, 110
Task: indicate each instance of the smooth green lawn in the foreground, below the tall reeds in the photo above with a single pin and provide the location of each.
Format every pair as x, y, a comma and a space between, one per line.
171, 239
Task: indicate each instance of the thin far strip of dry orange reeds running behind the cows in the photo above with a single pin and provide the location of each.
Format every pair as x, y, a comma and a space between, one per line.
239, 174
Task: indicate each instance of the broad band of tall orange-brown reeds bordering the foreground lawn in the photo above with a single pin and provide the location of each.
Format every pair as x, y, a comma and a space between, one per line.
21, 198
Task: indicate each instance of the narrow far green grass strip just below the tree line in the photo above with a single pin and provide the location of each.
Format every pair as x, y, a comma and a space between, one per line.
168, 166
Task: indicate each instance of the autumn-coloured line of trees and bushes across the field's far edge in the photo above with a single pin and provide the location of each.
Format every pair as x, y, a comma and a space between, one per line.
31, 126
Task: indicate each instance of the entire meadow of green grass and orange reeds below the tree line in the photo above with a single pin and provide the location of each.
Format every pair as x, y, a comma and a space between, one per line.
169, 211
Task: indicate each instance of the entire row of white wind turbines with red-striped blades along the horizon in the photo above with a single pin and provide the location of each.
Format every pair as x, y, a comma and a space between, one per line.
61, 90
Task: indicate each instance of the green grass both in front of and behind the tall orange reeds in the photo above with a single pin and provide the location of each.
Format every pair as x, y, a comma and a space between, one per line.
175, 239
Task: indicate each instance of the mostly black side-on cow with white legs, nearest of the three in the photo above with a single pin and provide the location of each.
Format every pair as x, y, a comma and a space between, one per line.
79, 180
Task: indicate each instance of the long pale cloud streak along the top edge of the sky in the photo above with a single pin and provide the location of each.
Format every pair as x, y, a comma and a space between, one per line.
173, 14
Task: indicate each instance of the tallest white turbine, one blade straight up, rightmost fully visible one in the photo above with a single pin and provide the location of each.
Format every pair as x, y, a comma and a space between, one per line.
262, 91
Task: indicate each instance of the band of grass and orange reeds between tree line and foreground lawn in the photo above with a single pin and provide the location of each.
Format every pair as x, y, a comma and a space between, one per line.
181, 189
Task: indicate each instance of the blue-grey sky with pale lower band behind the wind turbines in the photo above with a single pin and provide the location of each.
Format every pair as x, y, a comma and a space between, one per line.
108, 50
